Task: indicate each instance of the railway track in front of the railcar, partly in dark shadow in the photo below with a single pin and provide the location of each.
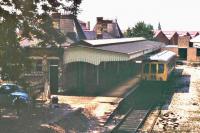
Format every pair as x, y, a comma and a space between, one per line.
140, 106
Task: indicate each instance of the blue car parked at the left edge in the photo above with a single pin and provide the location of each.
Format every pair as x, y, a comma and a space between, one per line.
13, 95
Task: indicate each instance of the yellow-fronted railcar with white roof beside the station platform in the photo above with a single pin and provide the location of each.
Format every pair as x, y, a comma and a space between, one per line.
159, 67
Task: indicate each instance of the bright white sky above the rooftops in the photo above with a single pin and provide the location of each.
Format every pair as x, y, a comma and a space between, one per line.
179, 15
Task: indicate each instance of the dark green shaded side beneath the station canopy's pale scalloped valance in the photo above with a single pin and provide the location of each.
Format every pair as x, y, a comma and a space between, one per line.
87, 79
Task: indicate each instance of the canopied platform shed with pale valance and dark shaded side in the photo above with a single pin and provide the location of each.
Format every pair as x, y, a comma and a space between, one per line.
93, 66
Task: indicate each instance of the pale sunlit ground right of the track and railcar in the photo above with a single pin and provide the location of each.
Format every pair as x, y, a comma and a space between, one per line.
182, 112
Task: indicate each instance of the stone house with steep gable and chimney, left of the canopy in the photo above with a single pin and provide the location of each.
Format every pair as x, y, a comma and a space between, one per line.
52, 58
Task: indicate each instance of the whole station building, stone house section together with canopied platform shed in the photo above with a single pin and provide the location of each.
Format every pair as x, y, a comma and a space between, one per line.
87, 66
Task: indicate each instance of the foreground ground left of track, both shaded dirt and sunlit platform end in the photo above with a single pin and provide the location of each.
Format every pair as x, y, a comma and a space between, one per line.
72, 115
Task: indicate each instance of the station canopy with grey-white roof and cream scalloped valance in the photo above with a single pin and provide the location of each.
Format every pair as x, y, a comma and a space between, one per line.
106, 50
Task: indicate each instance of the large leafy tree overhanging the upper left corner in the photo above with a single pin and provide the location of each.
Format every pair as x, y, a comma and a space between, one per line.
28, 19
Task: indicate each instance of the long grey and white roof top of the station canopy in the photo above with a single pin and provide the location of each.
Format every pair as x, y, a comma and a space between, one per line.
124, 45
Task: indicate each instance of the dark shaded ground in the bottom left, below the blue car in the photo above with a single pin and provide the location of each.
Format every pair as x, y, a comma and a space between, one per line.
44, 119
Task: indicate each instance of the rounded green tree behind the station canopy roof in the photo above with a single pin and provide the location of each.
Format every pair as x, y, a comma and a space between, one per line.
140, 30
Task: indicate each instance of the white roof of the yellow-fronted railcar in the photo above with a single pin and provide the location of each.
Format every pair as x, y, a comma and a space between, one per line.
163, 56
